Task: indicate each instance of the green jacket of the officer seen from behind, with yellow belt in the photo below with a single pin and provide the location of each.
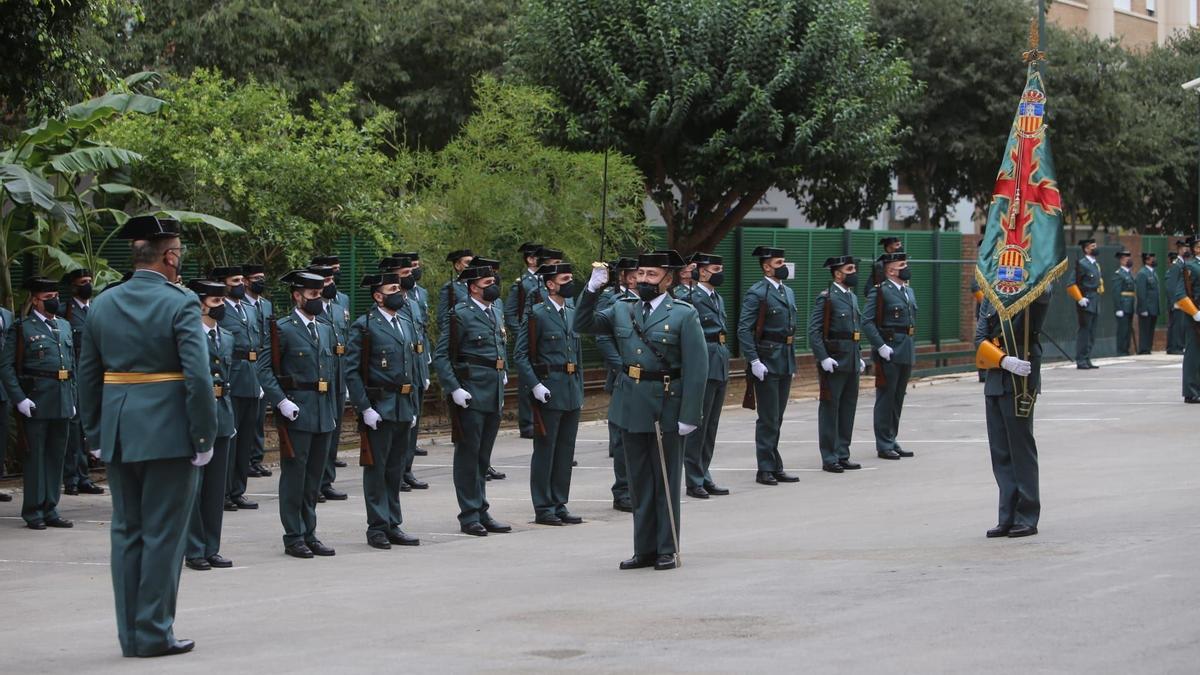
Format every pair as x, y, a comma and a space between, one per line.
147, 325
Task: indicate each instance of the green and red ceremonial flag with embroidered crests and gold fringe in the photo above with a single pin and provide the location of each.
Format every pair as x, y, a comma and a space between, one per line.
1023, 247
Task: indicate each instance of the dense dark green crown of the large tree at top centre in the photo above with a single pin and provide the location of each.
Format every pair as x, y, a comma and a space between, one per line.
719, 100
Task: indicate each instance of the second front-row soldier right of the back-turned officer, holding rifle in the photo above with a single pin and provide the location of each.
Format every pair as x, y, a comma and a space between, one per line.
298, 372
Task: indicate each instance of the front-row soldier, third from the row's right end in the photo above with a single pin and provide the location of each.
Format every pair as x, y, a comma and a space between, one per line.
767, 334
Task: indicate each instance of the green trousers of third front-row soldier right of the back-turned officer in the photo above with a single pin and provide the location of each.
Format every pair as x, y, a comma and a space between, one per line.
381, 481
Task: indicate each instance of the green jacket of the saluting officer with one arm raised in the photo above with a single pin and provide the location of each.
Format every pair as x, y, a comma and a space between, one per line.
675, 331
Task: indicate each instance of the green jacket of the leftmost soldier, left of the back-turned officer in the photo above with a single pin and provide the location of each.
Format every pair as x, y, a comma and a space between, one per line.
47, 351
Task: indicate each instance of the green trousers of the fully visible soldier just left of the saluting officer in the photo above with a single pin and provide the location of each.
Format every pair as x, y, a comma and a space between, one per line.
550, 468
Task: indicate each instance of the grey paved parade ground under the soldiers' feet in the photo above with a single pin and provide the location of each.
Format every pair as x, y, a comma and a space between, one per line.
879, 571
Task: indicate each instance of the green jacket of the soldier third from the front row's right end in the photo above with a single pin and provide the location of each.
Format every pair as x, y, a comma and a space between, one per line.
776, 354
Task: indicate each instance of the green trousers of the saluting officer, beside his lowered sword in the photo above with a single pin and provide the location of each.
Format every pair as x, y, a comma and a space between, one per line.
652, 524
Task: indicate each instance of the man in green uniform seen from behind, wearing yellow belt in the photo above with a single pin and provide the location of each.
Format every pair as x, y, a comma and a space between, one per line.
146, 395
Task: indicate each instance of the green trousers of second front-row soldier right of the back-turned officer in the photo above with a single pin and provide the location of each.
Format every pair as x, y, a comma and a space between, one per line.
299, 486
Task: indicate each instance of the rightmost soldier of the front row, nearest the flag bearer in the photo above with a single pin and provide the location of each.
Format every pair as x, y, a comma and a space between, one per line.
891, 326
